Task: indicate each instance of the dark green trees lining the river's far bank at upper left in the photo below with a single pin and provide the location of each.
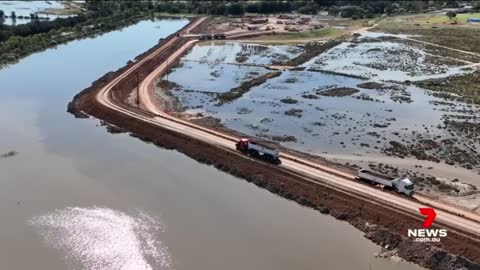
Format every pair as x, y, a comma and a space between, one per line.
17, 41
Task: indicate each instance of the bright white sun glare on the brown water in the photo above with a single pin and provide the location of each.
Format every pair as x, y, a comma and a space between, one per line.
101, 238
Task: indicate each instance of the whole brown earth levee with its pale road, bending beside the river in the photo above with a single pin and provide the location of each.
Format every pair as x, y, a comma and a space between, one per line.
384, 217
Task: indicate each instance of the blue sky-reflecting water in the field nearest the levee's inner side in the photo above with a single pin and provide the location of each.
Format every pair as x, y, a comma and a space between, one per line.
324, 123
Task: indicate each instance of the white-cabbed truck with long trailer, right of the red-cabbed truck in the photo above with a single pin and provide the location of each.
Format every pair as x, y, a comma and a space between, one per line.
400, 184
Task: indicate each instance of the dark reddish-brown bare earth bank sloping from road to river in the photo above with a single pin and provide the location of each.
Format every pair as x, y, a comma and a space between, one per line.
378, 222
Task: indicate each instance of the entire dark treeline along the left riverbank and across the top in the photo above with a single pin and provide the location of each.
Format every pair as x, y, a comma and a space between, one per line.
98, 16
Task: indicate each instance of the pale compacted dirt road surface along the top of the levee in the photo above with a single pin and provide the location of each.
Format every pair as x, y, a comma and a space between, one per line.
456, 219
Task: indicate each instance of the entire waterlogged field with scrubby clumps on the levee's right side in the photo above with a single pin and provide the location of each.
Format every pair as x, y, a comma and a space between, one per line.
347, 102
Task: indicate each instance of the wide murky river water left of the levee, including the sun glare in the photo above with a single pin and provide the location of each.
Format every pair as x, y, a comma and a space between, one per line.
76, 197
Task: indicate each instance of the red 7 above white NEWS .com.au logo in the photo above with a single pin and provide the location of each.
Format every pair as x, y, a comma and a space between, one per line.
426, 234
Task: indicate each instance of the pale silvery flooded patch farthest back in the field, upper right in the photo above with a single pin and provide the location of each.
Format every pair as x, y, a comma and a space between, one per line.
386, 57
